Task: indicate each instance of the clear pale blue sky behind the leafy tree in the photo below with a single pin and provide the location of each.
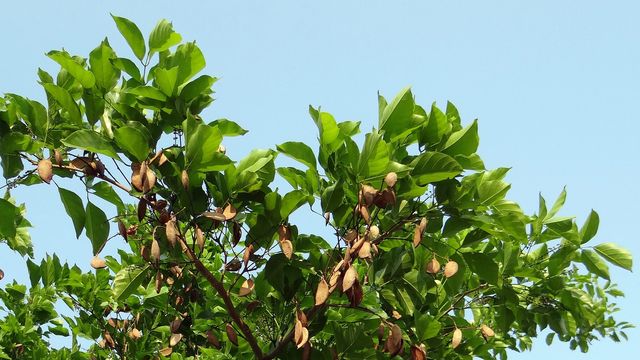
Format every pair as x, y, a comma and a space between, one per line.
555, 85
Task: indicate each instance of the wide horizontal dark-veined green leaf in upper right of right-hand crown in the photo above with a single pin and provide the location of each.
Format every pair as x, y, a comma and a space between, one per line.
431, 167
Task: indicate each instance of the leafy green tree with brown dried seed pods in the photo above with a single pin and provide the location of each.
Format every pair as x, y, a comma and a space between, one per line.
427, 257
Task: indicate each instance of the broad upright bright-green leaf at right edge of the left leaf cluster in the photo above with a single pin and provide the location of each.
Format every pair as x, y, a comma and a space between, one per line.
202, 150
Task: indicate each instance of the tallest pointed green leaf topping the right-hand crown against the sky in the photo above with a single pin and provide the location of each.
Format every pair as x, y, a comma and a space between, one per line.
397, 117
